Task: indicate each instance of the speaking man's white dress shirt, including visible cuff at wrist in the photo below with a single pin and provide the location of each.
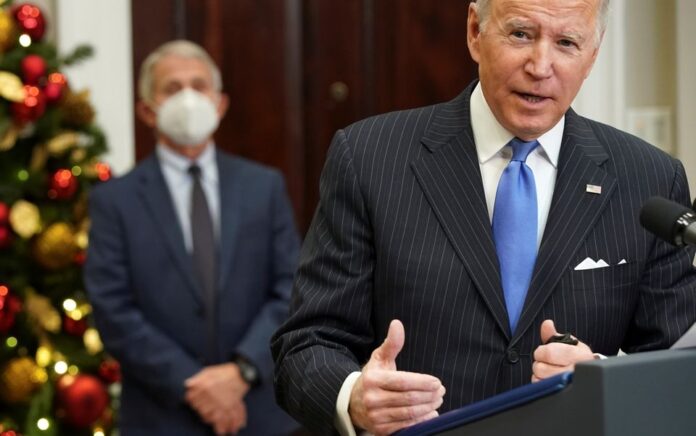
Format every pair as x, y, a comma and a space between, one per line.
494, 154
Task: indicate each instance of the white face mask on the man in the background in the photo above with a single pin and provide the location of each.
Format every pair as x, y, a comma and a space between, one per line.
188, 117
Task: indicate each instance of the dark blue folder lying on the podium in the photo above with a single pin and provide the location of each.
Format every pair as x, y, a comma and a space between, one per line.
490, 406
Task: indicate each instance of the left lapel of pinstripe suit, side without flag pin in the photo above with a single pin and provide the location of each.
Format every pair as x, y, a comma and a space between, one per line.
450, 177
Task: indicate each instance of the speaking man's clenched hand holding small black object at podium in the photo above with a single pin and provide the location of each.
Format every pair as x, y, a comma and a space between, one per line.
555, 358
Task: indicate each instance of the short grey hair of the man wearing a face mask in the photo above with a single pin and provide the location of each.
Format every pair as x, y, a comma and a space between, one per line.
179, 47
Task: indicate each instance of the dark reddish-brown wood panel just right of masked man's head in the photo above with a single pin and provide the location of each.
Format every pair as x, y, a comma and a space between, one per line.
261, 62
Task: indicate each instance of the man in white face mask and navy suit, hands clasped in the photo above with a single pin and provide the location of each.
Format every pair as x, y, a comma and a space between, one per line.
190, 264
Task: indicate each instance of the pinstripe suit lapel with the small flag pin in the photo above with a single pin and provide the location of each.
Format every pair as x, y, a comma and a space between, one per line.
573, 212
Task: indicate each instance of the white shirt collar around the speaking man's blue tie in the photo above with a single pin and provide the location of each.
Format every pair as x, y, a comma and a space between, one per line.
490, 136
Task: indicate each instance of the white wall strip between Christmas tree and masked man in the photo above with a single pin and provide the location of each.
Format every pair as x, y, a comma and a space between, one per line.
106, 26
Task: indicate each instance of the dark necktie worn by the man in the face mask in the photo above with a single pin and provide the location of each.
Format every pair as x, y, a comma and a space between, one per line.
204, 253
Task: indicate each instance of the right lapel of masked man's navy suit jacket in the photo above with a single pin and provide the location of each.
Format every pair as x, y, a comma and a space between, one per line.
230, 214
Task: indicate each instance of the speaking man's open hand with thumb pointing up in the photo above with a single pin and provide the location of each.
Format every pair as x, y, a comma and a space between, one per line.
385, 400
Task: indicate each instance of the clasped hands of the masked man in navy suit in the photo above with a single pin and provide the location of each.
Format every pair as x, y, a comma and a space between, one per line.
217, 394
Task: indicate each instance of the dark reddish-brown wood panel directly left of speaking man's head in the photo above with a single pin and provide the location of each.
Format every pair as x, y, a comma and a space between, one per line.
421, 56
